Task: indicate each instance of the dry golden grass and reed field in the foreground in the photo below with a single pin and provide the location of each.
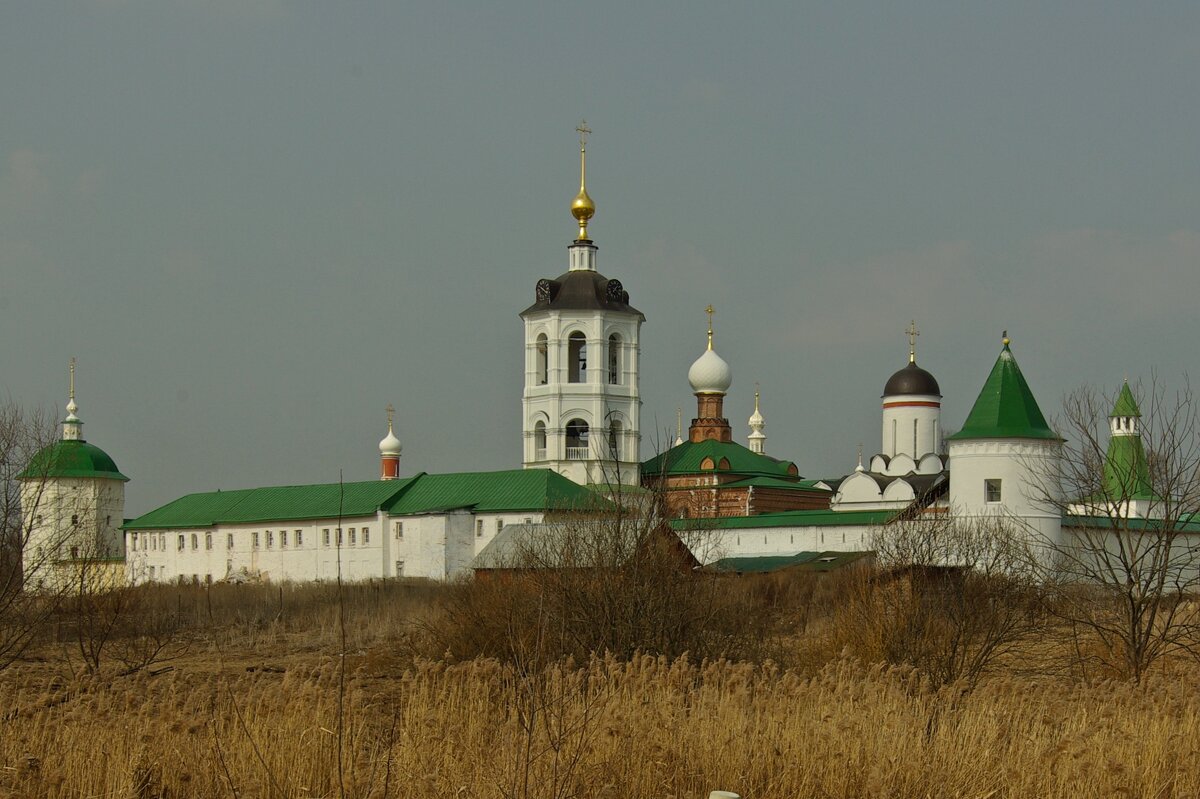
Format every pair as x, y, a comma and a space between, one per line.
257, 700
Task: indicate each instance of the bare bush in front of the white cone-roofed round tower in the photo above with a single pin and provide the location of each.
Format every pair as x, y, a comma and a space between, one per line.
951, 597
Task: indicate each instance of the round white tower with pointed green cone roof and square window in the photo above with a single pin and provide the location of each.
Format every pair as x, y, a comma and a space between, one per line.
1005, 461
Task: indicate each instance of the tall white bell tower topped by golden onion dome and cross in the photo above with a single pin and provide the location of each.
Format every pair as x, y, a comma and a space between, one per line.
581, 408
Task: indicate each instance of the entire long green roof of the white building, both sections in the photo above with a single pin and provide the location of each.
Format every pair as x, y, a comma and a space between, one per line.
525, 490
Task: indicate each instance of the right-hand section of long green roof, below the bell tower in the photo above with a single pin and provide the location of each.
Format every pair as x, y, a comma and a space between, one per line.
518, 490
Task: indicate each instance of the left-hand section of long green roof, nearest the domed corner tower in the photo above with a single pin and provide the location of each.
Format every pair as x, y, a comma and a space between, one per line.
274, 504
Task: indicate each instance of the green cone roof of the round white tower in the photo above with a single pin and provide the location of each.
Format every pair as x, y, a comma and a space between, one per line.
1006, 407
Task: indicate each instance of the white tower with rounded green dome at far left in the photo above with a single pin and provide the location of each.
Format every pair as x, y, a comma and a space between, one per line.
73, 501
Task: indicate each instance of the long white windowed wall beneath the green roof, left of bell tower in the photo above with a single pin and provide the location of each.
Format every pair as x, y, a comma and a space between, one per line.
435, 546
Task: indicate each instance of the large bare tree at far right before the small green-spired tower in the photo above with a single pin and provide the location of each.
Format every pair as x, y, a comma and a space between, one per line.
1129, 486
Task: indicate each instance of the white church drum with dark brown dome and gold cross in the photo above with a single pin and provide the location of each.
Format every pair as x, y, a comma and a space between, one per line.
913, 410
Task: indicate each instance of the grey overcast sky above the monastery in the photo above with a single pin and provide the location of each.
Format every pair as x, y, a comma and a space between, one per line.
257, 223
